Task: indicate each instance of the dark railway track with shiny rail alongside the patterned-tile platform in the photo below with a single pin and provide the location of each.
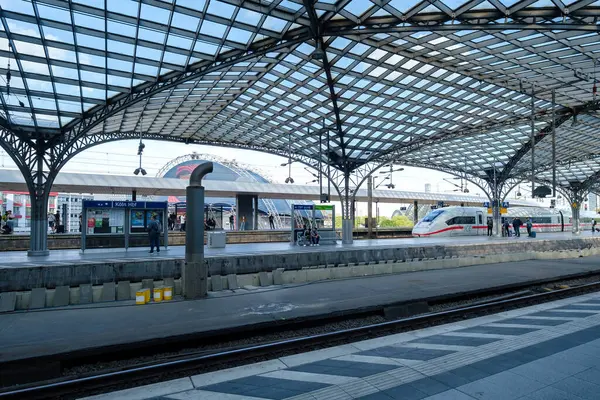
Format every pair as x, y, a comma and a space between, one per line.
176, 366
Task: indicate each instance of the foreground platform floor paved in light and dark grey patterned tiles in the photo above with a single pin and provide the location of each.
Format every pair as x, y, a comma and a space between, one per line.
544, 352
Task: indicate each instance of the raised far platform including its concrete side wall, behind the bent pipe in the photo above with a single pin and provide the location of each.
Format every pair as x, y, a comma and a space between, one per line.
72, 268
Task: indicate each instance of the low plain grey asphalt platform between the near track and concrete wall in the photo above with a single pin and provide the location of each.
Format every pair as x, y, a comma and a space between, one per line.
51, 331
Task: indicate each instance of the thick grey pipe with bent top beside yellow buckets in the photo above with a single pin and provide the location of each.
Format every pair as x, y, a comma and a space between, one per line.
195, 274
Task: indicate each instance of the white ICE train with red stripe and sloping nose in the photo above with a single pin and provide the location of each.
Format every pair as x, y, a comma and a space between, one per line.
472, 221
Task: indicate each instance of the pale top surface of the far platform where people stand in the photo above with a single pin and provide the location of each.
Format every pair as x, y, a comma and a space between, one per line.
72, 257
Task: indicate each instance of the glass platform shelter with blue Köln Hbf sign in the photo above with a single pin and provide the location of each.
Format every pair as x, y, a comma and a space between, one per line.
122, 221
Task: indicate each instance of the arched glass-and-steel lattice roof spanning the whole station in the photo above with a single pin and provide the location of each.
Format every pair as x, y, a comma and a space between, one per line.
456, 85
